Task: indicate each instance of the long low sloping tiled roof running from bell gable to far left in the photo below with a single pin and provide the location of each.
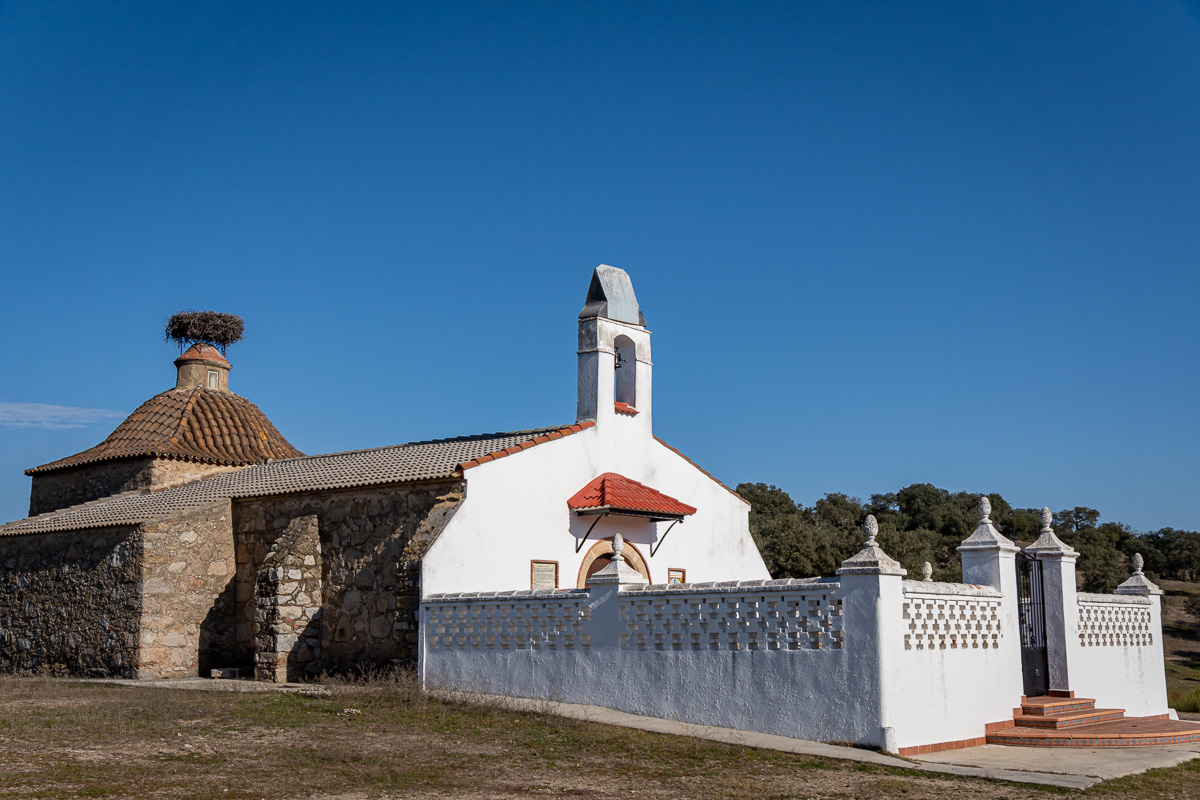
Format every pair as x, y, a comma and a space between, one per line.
418, 461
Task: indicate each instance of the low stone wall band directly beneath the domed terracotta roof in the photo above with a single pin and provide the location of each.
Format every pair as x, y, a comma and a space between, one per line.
91, 483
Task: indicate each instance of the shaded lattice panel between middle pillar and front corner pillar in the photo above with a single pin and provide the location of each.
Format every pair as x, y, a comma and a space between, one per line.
812, 621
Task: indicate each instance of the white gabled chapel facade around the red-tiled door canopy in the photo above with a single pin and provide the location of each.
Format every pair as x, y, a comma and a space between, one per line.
515, 512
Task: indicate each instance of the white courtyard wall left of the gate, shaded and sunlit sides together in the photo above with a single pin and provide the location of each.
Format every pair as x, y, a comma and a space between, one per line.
861, 659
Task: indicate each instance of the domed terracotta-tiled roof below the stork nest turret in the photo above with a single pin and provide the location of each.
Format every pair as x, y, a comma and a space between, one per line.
194, 424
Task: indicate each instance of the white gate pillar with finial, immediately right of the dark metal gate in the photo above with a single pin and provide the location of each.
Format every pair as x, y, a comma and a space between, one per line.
1061, 603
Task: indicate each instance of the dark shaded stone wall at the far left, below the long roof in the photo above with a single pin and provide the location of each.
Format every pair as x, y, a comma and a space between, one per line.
70, 603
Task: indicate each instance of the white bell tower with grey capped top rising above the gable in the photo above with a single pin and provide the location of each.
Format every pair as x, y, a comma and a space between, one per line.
615, 353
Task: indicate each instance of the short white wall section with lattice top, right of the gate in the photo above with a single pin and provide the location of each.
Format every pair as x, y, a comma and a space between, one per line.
1118, 653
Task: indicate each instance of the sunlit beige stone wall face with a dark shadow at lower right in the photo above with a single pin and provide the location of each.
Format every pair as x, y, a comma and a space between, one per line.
189, 594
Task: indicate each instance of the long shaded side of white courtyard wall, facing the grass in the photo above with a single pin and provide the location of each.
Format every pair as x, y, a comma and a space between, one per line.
770, 657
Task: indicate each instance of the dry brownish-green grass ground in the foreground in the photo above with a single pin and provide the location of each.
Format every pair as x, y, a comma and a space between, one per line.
382, 738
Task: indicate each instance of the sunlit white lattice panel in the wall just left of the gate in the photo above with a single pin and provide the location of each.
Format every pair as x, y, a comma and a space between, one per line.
943, 622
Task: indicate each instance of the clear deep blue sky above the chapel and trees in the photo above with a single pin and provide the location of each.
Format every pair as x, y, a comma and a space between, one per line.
878, 244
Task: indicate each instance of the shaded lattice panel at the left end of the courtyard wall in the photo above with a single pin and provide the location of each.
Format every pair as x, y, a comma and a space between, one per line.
535, 623
